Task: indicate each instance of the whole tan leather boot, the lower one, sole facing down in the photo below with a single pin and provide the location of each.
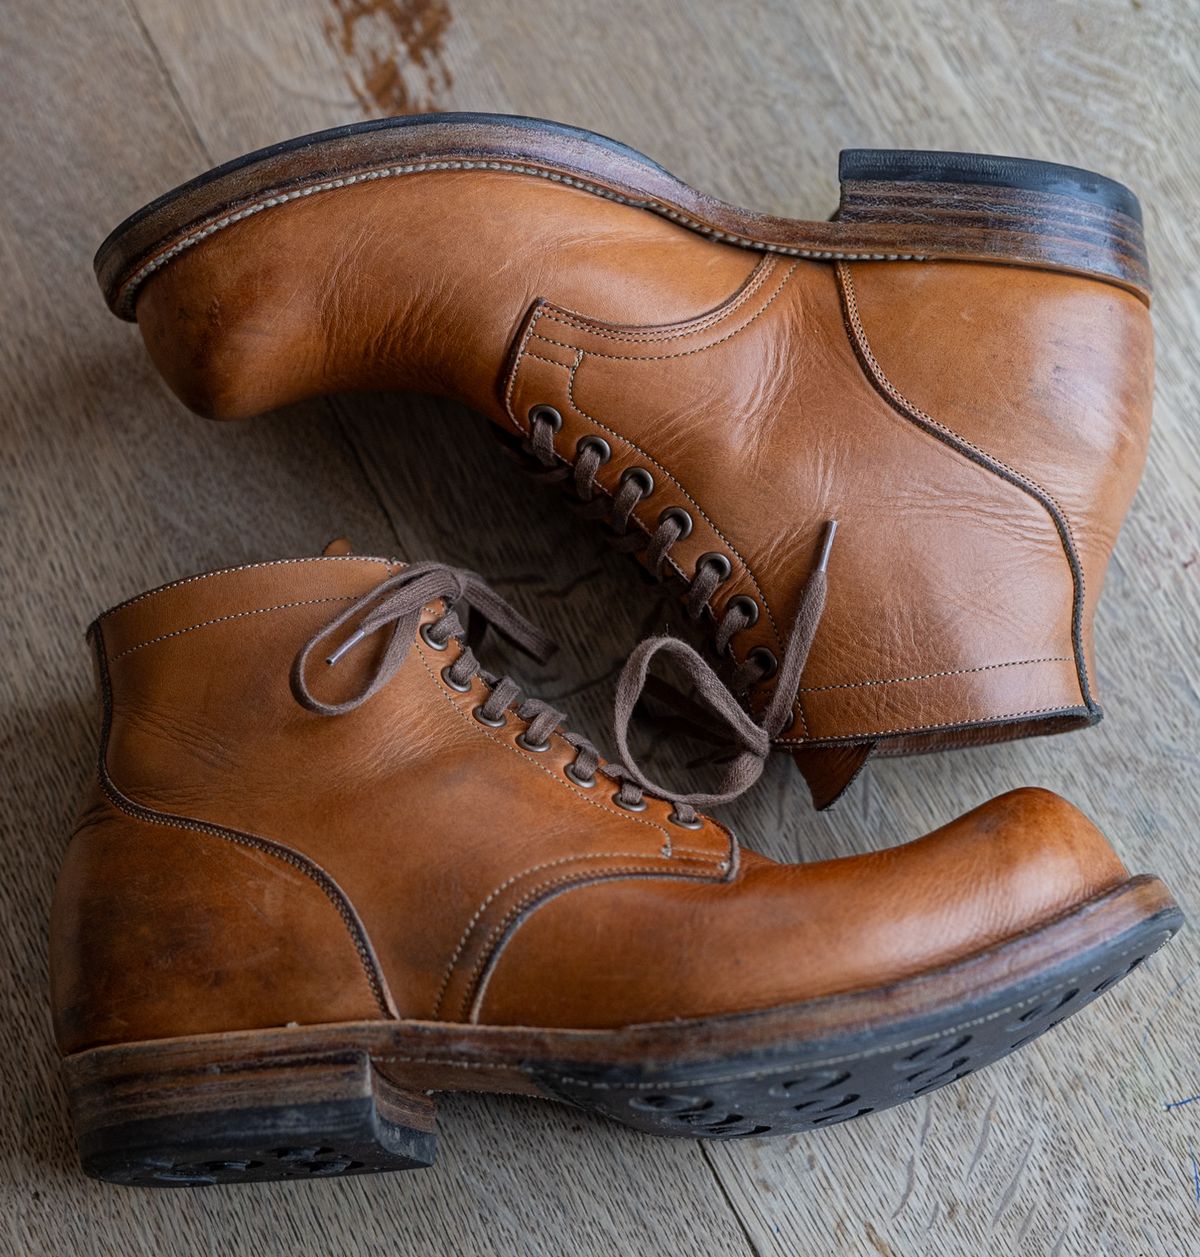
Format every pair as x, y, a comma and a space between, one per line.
306, 896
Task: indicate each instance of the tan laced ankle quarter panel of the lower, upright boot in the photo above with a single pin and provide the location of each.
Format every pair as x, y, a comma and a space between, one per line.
229, 747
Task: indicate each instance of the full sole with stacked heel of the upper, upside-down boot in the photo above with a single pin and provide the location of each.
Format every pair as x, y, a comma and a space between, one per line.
895, 206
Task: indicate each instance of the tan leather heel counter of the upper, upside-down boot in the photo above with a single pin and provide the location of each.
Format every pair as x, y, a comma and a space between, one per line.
1051, 375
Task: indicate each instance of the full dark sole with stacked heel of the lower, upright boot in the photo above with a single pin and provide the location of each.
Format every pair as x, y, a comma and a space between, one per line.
354, 1098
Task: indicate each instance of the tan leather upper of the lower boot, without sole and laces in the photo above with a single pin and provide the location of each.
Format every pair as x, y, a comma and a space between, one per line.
244, 863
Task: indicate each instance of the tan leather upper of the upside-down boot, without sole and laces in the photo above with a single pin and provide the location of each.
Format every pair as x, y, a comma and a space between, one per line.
978, 432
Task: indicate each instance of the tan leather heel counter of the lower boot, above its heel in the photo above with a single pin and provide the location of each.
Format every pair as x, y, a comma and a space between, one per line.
159, 931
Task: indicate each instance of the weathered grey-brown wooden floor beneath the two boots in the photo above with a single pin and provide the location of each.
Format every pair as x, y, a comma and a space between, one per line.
1084, 1144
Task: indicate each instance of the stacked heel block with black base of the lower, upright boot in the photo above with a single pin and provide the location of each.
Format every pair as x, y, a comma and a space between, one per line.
179, 1116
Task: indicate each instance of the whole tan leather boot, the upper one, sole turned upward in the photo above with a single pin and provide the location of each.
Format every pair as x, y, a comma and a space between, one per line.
957, 369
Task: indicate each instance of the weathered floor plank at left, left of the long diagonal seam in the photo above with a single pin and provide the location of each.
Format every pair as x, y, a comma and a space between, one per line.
111, 488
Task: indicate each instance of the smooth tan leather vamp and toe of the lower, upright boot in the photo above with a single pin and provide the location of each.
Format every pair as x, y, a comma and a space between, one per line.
824, 928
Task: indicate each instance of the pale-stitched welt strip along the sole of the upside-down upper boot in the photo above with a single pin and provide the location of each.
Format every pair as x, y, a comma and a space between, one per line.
128, 288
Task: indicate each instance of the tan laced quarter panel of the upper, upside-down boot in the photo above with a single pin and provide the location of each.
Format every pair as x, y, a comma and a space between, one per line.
963, 594
